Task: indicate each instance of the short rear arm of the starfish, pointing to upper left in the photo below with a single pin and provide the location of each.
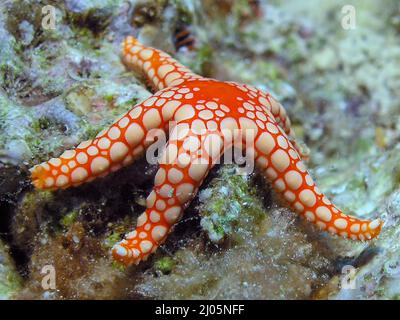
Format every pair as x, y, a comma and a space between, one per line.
160, 68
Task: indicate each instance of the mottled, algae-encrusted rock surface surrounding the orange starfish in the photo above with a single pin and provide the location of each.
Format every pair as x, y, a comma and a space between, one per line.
340, 87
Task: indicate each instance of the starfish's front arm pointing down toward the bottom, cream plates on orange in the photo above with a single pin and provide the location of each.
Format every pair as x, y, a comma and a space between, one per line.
182, 169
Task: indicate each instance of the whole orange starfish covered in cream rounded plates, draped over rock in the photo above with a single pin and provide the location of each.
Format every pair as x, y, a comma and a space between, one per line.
206, 116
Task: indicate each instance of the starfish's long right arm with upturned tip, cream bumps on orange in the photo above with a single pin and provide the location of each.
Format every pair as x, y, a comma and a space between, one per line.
281, 165
